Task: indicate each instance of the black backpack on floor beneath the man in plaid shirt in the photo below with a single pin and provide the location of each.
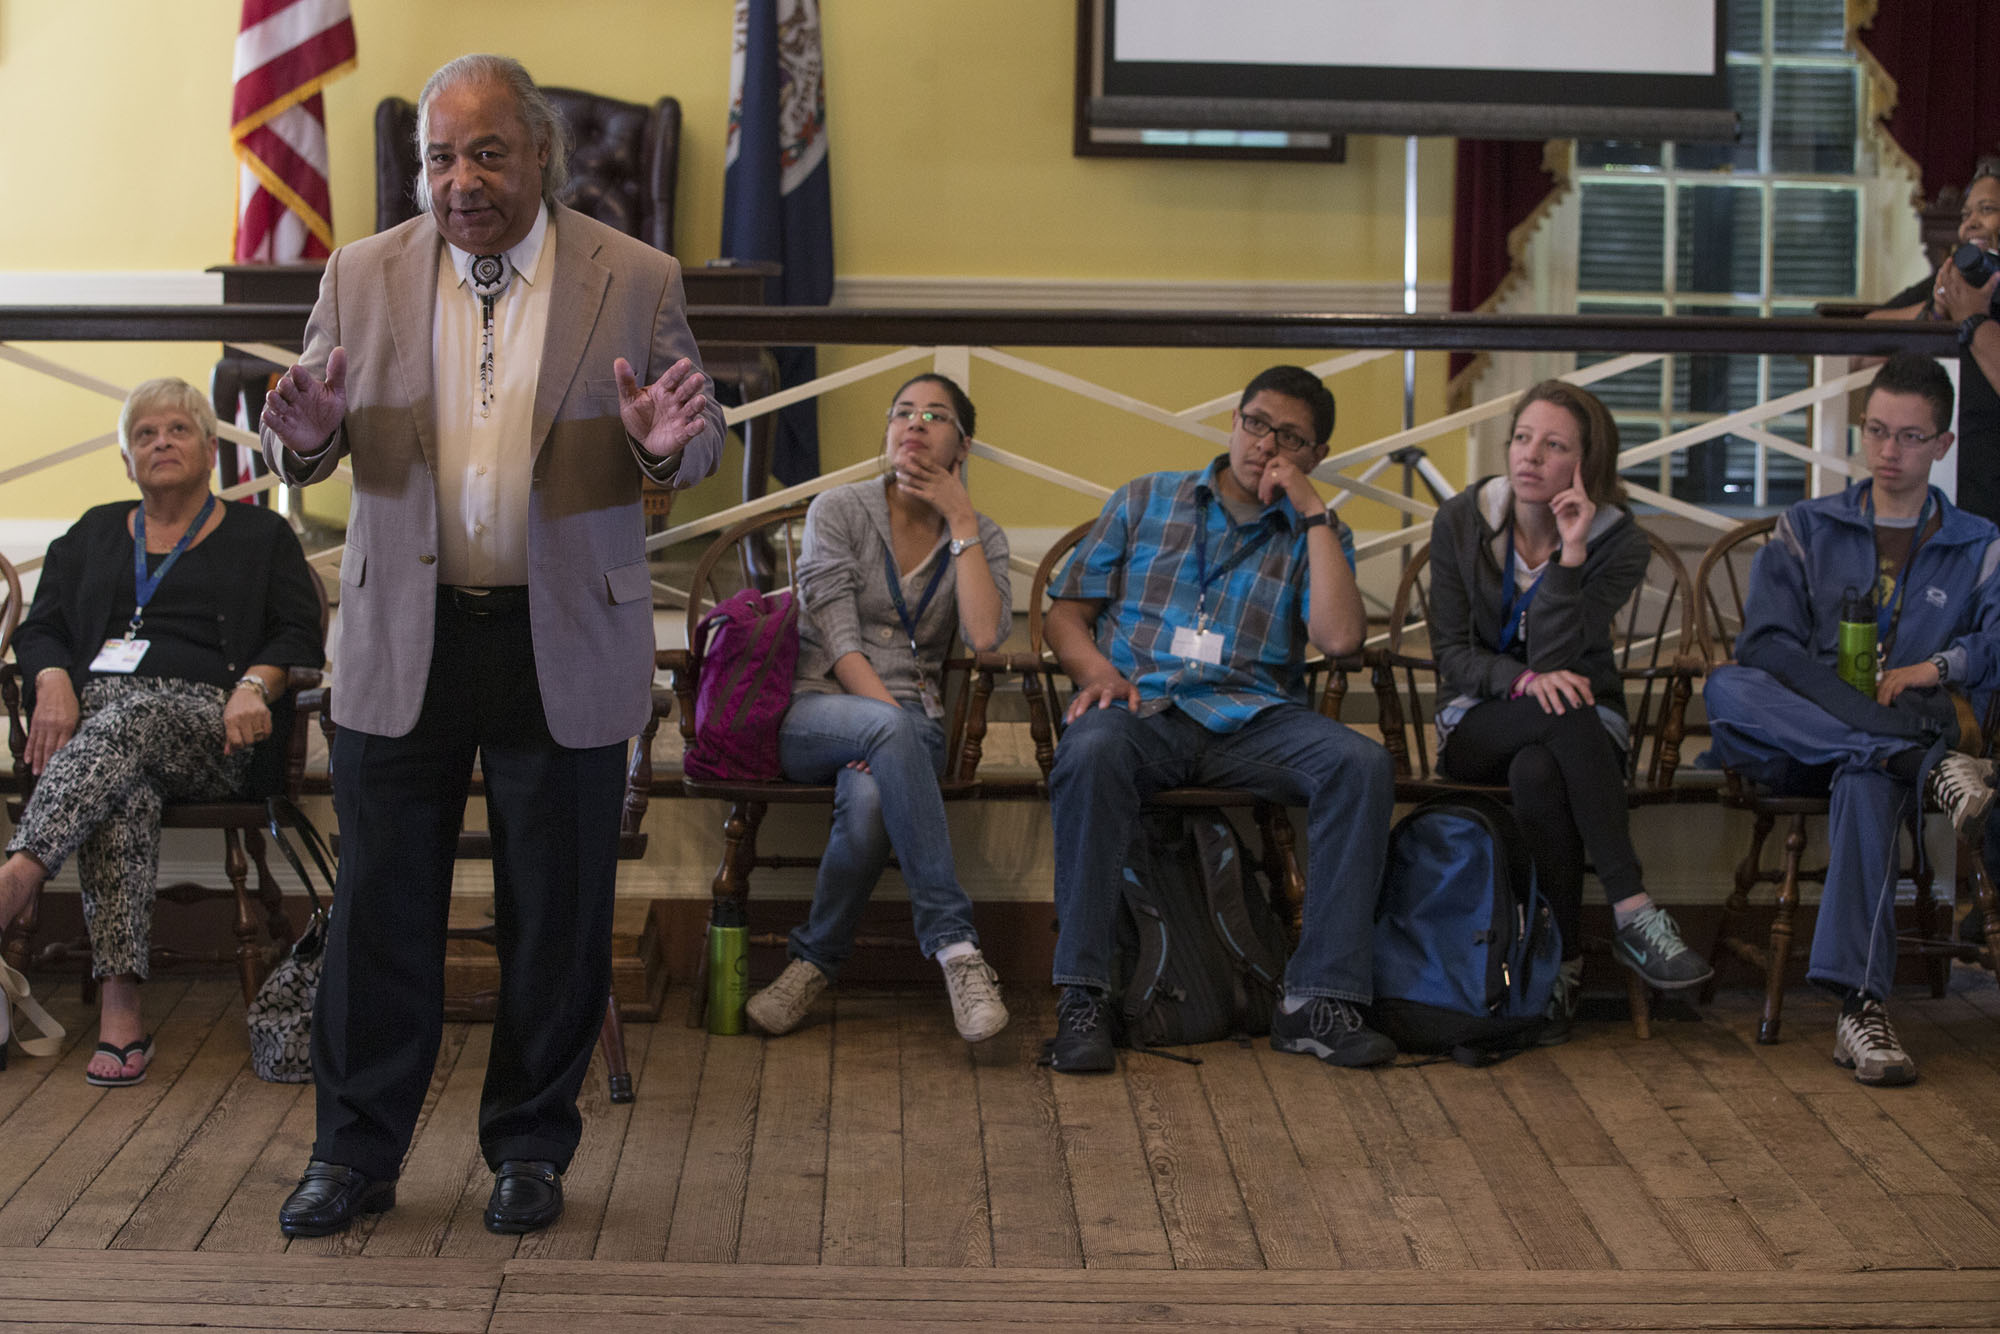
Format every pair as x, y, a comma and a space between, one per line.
1201, 953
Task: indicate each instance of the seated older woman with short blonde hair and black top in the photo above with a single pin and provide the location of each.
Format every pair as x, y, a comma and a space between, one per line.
159, 637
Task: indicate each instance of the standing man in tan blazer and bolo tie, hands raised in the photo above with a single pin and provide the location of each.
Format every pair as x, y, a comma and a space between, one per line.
499, 377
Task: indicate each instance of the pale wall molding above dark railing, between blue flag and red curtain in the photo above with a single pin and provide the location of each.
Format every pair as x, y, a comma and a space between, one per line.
1133, 295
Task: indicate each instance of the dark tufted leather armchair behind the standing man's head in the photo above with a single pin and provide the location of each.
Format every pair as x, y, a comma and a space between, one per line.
625, 161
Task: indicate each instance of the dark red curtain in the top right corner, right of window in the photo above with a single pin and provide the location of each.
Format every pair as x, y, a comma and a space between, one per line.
1945, 57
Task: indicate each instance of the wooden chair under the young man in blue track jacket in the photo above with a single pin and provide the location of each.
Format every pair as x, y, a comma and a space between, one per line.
1723, 583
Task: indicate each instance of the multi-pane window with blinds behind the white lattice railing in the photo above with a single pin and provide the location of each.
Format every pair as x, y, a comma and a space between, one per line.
1765, 227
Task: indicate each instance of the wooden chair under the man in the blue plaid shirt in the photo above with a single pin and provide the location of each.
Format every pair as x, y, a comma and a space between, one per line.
1279, 855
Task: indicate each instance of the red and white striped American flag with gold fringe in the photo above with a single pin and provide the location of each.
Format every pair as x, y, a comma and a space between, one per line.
285, 53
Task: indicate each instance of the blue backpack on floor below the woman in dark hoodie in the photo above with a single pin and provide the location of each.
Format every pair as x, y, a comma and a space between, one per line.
1465, 945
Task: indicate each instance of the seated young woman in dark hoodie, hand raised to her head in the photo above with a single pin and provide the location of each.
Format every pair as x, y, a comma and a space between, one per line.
1527, 573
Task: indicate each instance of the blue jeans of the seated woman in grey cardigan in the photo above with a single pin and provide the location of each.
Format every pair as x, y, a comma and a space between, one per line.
895, 805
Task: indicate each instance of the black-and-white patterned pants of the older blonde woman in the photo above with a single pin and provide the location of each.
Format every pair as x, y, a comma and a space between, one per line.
143, 741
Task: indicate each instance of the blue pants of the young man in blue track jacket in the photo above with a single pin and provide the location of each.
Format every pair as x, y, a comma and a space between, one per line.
1785, 741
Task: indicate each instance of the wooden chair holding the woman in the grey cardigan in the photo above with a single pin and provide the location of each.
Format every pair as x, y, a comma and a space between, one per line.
727, 567
